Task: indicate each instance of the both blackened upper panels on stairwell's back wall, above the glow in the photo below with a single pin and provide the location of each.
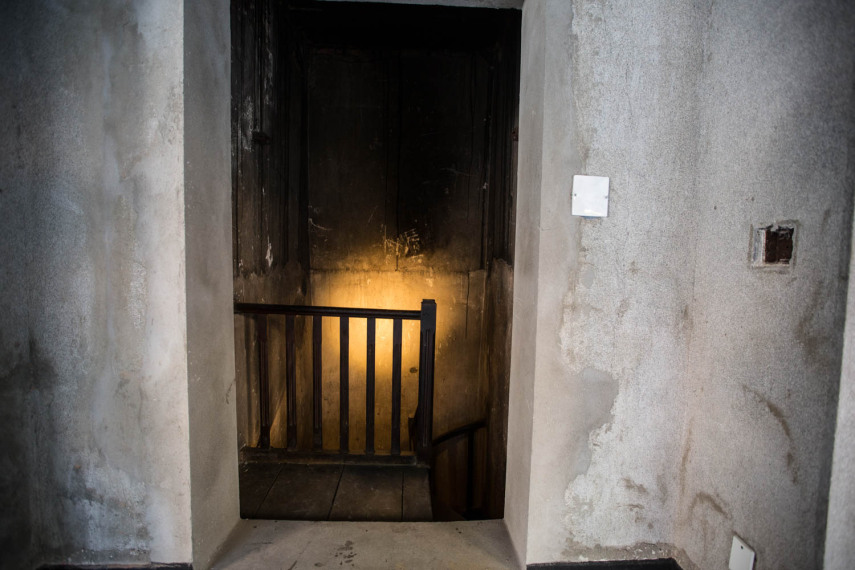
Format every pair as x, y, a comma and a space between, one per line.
396, 159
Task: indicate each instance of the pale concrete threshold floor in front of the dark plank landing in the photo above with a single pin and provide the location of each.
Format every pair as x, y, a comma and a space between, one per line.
296, 545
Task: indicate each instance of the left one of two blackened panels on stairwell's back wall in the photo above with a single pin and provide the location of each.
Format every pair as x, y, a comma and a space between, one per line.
348, 146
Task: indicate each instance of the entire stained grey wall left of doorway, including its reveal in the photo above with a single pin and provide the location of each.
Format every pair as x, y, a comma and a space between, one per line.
116, 290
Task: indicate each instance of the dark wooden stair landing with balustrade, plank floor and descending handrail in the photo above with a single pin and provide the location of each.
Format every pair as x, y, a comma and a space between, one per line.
317, 483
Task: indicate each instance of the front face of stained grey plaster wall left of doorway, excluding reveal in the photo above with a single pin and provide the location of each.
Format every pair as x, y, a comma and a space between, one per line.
93, 324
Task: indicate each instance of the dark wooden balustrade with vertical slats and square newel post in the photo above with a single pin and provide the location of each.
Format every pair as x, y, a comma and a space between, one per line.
424, 413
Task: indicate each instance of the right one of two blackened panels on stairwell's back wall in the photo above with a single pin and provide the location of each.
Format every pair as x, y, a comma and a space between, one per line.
443, 125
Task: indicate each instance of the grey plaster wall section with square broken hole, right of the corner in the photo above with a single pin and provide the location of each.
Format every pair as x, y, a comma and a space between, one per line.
776, 122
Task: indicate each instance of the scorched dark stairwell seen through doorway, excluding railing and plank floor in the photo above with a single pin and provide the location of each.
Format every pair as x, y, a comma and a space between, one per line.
374, 163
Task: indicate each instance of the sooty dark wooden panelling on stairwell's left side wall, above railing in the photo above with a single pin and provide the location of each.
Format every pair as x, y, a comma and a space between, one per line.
261, 100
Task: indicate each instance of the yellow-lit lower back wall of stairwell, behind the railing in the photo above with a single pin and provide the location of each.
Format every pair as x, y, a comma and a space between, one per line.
458, 296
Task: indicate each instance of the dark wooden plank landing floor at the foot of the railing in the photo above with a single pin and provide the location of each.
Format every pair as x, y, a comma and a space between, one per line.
287, 491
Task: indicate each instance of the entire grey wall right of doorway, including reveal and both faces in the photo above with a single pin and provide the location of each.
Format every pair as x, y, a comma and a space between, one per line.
675, 394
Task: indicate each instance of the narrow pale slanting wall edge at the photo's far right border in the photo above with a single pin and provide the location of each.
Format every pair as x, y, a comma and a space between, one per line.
839, 546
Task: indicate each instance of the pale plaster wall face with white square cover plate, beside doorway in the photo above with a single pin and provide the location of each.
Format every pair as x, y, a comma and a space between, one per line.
612, 327
